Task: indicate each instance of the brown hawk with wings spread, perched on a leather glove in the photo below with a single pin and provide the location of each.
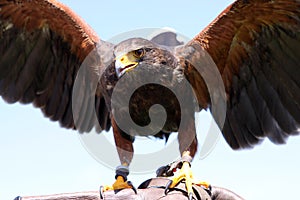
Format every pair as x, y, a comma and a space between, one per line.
255, 45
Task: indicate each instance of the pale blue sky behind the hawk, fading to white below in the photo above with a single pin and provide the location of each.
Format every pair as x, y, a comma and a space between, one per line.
38, 157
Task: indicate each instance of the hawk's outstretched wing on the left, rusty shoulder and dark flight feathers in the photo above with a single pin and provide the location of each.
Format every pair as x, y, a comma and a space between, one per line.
42, 46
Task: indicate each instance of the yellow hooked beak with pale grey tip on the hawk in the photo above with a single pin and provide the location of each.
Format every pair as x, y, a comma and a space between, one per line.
125, 63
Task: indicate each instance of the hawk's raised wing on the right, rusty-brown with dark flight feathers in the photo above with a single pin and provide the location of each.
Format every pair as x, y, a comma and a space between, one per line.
256, 47
